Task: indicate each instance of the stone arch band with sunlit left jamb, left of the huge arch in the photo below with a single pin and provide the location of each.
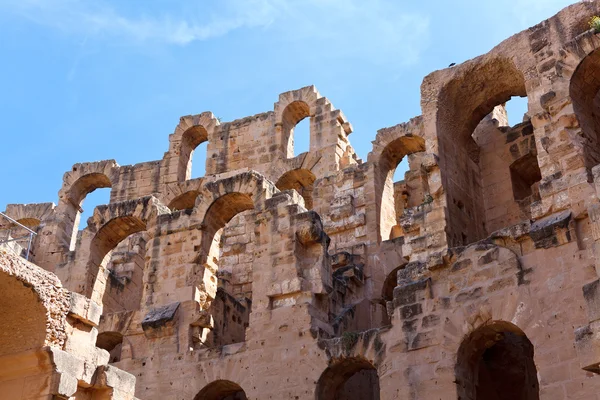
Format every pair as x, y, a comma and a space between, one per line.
390, 146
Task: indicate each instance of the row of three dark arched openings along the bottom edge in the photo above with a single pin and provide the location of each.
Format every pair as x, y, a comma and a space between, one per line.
494, 362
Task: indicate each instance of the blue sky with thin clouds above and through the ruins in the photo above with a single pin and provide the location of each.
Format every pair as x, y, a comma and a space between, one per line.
87, 80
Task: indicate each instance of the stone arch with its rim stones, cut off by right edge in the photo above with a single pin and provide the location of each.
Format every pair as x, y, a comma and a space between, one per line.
581, 65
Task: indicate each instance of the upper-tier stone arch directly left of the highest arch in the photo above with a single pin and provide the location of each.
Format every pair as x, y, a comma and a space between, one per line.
191, 131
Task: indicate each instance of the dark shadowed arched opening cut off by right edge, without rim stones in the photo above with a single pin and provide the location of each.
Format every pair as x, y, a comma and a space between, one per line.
584, 90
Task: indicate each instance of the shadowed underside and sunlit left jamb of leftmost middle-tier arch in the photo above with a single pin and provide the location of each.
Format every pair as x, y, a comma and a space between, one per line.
107, 238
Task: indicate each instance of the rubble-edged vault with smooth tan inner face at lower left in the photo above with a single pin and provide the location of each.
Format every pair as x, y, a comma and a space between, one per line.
33, 307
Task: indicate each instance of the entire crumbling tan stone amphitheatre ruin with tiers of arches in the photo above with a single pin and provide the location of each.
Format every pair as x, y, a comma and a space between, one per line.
315, 276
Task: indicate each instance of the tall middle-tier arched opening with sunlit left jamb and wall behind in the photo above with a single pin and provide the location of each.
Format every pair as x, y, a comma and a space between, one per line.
227, 243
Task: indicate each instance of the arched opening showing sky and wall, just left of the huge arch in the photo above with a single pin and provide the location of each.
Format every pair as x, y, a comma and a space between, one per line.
410, 192
